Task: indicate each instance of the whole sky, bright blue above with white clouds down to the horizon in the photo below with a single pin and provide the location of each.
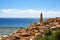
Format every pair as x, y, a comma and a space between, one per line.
29, 8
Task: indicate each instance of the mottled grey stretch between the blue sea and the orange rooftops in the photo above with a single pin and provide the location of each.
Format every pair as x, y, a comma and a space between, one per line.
7, 30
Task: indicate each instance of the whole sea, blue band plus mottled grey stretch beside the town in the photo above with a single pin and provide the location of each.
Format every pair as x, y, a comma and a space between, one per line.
9, 25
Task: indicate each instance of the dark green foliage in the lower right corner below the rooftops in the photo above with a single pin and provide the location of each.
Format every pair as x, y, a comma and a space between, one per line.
51, 36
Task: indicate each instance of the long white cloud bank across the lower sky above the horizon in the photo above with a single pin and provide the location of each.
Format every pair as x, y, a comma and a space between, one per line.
27, 13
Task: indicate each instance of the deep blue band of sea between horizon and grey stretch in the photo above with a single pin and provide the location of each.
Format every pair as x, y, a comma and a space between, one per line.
17, 22
